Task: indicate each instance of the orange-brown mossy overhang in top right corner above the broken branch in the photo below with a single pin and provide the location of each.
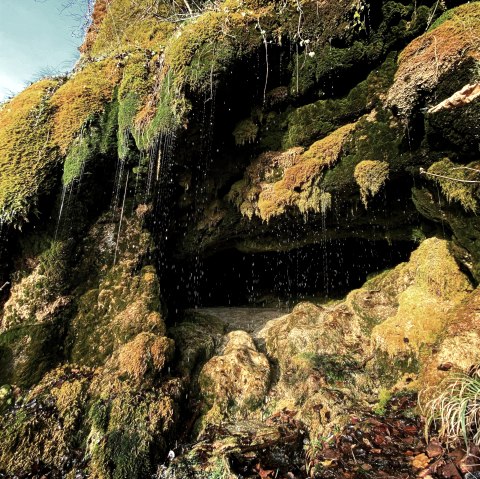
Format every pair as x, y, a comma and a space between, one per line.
452, 40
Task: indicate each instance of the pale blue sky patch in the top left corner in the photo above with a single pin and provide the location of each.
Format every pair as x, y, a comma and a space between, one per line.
37, 36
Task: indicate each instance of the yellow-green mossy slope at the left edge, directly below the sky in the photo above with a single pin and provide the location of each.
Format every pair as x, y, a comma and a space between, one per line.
26, 149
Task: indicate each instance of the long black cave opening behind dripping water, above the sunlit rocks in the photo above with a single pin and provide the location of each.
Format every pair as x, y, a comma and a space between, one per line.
320, 271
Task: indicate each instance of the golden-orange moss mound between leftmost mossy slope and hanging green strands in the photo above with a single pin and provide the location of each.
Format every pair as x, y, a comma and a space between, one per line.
84, 95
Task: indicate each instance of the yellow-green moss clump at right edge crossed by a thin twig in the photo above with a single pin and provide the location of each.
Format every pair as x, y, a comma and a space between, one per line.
464, 193
